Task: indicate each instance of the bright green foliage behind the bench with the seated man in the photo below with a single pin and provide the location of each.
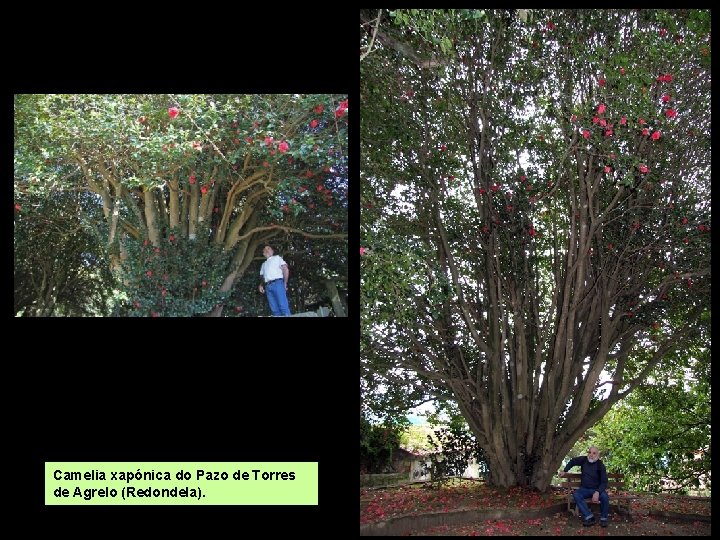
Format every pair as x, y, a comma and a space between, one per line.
660, 436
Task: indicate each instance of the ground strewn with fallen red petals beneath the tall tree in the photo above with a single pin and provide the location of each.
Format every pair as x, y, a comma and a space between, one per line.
652, 514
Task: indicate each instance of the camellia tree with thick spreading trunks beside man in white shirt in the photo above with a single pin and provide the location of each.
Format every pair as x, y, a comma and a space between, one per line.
191, 186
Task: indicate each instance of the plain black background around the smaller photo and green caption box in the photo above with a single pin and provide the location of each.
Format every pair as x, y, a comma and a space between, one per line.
178, 389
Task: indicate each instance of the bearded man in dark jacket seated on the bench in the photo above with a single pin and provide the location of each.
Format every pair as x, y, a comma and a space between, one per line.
593, 483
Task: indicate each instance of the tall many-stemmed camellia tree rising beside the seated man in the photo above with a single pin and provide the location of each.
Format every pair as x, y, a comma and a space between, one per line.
535, 223
